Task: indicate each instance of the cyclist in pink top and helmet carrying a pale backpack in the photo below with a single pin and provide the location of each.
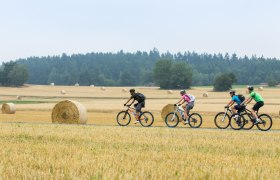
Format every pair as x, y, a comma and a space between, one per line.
190, 104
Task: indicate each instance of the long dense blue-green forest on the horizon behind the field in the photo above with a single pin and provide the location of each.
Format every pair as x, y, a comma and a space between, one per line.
131, 69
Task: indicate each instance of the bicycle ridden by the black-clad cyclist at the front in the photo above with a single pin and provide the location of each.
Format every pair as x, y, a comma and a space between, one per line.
124, 117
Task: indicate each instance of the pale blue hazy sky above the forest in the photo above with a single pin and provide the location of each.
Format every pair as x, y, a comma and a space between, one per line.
52, 27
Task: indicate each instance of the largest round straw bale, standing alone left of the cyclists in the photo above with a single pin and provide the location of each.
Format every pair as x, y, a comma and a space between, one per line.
69, 112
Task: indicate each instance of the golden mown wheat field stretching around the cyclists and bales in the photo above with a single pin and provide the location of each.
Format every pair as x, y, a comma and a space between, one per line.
33, 147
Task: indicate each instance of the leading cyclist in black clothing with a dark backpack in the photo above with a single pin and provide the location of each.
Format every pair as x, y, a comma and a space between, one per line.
140, 98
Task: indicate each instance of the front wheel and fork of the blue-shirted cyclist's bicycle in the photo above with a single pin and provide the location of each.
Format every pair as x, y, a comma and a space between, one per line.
222, 119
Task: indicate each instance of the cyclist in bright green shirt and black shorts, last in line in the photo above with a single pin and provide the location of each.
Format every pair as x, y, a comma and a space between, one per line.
259, 102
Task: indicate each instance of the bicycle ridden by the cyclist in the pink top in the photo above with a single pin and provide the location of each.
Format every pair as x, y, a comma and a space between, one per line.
194, 120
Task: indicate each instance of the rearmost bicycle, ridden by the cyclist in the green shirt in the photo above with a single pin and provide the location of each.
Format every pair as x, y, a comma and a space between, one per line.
265, 120
